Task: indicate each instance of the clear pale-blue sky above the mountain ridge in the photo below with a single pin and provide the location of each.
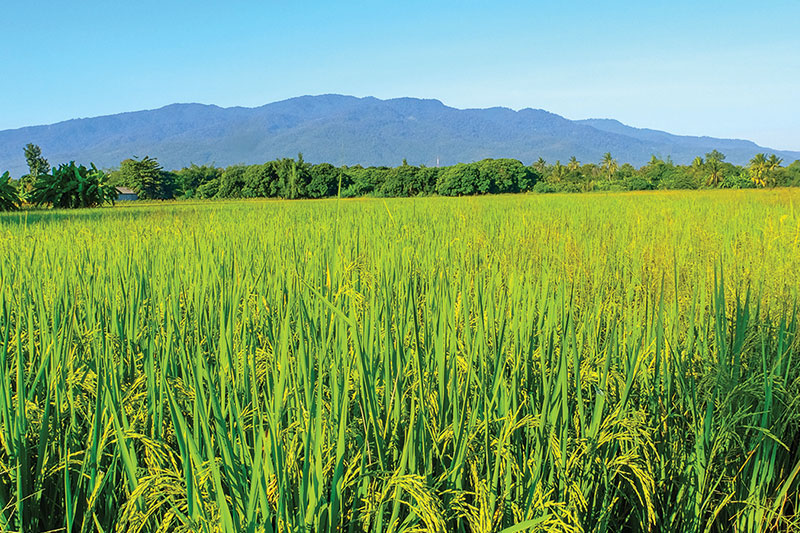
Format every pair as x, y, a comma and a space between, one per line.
726, 69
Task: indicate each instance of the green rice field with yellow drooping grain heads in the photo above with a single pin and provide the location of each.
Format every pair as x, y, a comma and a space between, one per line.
620, 362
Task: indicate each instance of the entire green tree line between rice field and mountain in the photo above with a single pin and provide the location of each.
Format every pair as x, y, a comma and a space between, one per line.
291, 178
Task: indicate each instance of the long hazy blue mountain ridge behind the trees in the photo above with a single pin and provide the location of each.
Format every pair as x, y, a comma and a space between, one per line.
349, 130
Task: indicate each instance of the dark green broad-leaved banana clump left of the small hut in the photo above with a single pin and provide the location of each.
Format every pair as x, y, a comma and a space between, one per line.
72, 186
